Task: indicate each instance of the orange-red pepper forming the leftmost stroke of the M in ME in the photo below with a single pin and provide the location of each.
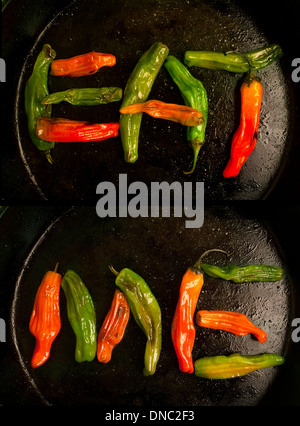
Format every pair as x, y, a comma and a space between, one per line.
45, 321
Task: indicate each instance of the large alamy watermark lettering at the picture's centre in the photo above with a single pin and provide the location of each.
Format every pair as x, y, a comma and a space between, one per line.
139, 200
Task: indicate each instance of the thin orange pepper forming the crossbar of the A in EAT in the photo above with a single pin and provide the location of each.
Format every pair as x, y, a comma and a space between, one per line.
182, 114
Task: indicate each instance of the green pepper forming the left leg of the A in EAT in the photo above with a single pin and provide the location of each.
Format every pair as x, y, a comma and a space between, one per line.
137, 90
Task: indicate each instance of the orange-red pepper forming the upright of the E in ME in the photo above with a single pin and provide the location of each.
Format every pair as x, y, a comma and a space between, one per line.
183, 329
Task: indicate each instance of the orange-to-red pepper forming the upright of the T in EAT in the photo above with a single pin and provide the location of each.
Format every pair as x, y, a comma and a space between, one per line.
245, 138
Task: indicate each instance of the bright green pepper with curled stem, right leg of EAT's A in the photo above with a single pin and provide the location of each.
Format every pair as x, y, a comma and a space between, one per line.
195, 96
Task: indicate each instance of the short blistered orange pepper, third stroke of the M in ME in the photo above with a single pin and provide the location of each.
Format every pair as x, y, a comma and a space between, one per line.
113, 327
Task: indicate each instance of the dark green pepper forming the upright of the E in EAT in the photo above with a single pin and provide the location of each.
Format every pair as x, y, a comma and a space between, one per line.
36, 90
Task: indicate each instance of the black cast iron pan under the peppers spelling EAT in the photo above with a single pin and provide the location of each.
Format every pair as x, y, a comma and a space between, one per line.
127, 29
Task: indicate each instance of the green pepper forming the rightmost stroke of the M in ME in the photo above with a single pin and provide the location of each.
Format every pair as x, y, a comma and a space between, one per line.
146, 312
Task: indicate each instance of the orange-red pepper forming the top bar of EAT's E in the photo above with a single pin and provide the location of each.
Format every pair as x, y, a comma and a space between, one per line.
80, 65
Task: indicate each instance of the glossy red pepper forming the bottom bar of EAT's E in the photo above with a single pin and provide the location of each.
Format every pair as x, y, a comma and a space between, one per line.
64, 130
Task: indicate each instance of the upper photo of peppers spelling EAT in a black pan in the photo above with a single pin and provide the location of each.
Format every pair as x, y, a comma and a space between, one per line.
159, 91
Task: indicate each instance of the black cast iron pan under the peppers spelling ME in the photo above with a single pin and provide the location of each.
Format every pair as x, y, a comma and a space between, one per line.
160, 250
